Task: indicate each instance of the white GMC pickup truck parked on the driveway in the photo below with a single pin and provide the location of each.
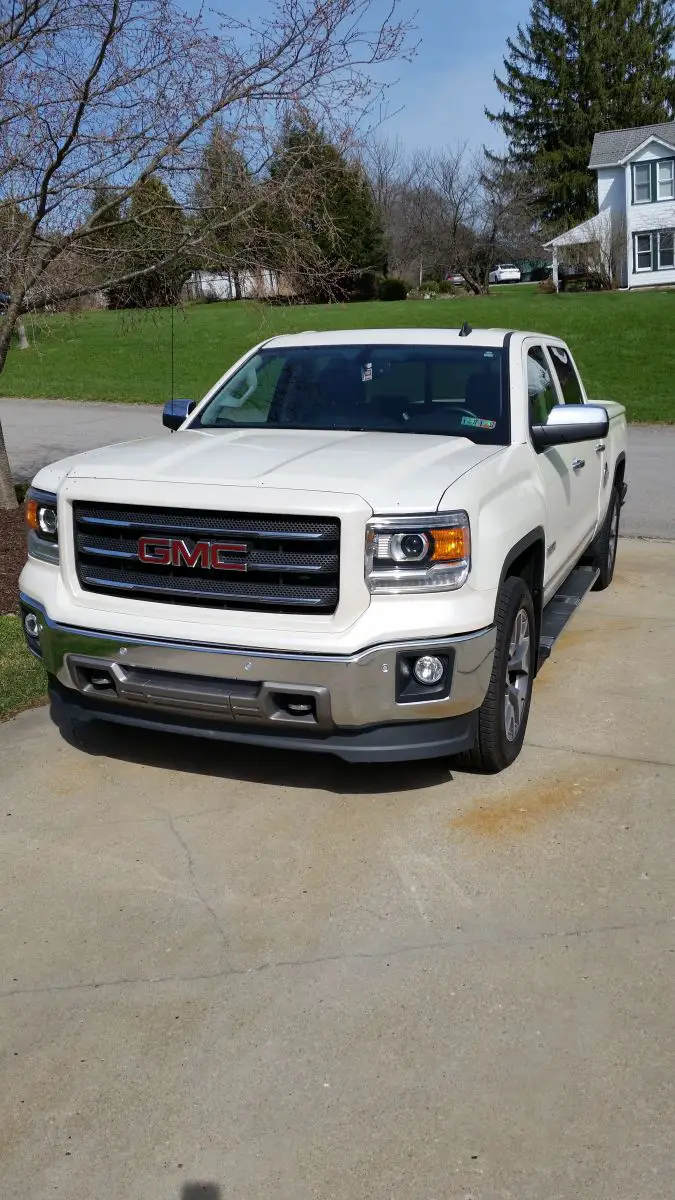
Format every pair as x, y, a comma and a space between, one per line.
361, 543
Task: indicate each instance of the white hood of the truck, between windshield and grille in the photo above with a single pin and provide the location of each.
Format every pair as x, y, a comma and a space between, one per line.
389, 471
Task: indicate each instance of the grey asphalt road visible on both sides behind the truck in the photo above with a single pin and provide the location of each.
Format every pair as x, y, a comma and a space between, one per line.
39, 431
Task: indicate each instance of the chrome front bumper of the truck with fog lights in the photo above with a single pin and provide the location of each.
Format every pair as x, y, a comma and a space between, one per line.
303, 693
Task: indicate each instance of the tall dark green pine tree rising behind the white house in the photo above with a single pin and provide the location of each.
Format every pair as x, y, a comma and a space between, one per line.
581, 67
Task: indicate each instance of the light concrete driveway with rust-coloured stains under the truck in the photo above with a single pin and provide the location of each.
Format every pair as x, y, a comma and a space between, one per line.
285, 979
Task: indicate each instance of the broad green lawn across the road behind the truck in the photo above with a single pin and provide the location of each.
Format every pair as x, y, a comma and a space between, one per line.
623, 344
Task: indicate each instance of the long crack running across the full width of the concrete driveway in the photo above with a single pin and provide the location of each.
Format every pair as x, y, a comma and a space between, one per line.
456, 944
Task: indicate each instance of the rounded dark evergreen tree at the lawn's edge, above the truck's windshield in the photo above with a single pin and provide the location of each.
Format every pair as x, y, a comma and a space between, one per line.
325, 203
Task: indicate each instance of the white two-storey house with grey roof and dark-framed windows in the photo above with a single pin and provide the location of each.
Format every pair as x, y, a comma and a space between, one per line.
635, 227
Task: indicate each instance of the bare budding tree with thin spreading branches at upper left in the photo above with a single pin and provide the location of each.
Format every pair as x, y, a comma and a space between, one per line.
123, 91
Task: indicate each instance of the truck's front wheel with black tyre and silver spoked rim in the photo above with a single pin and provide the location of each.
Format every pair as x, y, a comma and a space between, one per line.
504, 715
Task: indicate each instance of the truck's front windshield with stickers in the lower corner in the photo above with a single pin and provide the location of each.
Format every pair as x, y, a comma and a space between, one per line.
456, 391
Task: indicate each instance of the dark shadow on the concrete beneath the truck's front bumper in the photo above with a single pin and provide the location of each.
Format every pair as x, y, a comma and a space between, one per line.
255, 765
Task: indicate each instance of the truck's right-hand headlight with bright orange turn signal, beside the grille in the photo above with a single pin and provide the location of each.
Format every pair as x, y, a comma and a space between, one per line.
423, 554
